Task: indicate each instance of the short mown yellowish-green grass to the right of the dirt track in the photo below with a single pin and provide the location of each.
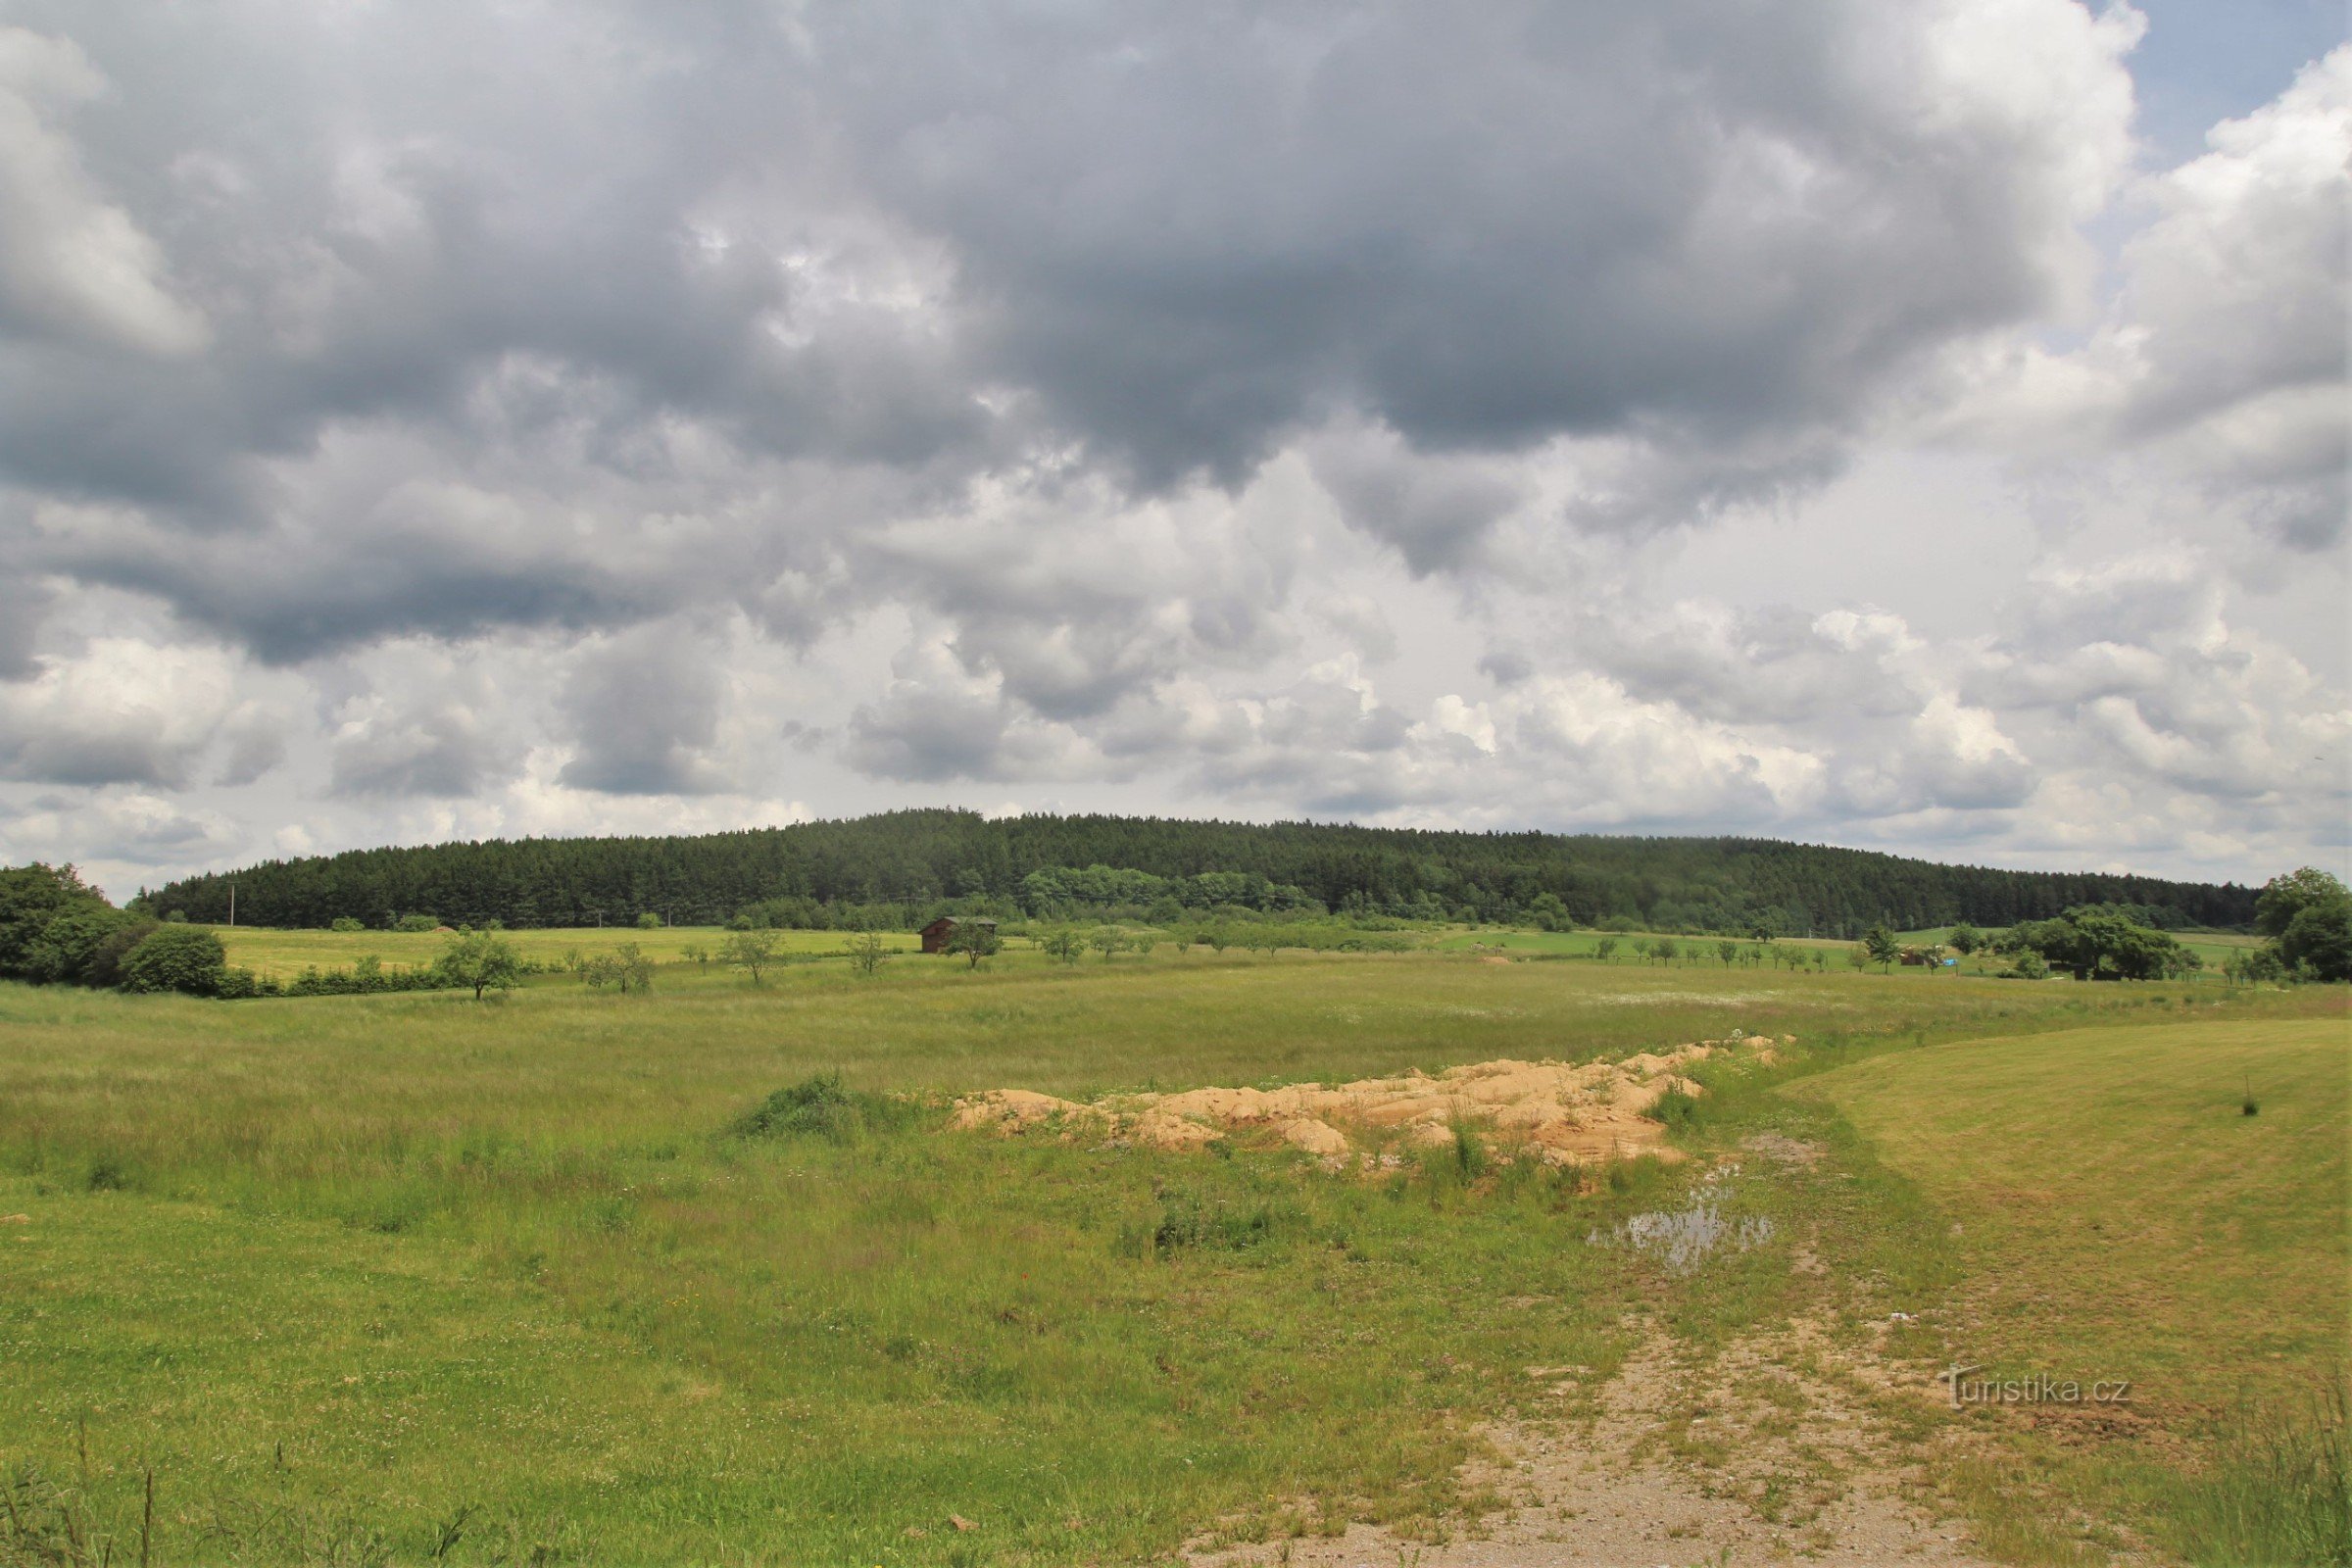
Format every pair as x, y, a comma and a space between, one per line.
2116, 1219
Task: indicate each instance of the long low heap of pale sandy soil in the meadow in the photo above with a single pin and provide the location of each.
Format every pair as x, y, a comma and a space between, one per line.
1551, 1111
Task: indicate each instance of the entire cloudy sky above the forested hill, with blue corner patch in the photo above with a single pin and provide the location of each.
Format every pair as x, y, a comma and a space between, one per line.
1909, 424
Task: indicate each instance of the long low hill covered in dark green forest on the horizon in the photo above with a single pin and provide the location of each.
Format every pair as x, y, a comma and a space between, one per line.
926, 862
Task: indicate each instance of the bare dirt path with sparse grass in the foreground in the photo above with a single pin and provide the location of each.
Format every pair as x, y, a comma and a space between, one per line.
1749, 1459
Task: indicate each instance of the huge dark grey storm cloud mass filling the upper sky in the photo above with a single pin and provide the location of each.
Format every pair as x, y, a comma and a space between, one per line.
876, 239
